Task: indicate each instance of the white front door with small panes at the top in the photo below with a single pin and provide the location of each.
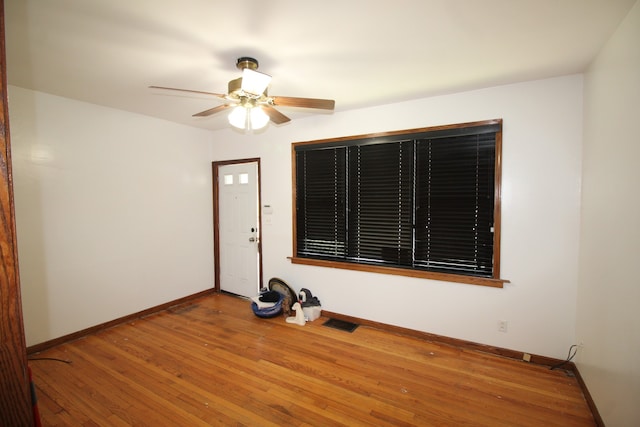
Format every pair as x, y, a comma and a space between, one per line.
238, 227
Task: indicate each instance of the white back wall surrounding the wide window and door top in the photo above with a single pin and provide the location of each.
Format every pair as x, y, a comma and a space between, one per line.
541, 195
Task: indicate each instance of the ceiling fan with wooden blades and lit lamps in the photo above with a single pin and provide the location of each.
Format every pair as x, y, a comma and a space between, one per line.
253, 107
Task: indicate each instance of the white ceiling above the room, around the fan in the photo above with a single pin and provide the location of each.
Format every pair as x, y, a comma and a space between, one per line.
359, 52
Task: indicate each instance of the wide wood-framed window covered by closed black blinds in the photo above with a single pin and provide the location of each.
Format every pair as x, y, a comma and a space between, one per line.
421, 202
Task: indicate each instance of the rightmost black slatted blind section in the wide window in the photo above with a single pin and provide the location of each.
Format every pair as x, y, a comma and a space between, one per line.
454, 204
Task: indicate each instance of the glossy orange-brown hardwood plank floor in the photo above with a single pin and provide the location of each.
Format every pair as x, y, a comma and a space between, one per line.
213, 362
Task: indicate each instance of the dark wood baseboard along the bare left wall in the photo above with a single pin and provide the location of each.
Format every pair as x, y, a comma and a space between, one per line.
36, 348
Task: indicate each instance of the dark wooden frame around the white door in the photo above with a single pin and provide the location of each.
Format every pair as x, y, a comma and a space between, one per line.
215, 166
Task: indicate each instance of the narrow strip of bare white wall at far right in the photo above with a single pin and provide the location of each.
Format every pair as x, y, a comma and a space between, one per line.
608, 312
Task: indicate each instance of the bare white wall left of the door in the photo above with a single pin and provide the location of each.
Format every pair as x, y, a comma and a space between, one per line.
113, 212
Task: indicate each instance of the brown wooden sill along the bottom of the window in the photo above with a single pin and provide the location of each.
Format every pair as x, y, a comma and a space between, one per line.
471, 280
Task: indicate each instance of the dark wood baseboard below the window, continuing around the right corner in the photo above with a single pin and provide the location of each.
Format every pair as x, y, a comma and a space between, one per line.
472, 346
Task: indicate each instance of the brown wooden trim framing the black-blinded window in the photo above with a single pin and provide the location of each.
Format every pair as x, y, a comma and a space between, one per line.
494, 281
